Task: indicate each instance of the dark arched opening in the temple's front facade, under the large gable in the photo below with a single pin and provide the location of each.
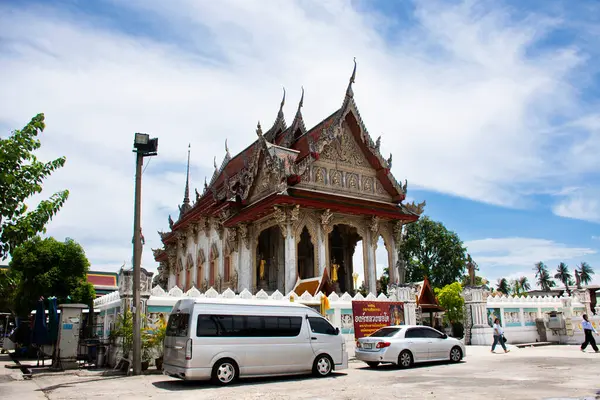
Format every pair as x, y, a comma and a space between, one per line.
342, 245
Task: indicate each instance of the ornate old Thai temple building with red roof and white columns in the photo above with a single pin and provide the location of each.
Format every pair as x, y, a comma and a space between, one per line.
292, 205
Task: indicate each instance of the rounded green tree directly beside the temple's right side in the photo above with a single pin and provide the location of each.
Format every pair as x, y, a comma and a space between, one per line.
429, 249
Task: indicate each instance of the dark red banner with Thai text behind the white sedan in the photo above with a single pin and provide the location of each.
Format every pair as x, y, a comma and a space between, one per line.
370, 316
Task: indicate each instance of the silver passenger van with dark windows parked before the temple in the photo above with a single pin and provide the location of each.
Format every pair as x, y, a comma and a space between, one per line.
224, 339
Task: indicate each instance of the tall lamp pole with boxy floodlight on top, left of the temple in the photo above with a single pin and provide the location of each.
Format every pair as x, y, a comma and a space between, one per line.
143, 147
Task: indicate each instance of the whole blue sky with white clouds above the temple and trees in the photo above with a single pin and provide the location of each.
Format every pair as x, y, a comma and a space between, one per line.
489, 108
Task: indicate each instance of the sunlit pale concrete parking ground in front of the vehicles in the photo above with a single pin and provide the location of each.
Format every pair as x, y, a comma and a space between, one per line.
552, 372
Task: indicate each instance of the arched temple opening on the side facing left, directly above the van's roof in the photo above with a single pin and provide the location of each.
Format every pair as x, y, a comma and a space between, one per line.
270, 260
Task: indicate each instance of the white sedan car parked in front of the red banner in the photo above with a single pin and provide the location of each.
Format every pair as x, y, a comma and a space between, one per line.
407, 344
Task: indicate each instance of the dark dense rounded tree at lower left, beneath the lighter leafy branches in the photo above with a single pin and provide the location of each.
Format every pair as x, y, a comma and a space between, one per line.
48, 268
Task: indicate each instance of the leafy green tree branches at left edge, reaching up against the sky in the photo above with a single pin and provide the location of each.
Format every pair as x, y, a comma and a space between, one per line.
21, 176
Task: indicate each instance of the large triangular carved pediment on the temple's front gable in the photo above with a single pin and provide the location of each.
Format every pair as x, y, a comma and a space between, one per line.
343, 167
